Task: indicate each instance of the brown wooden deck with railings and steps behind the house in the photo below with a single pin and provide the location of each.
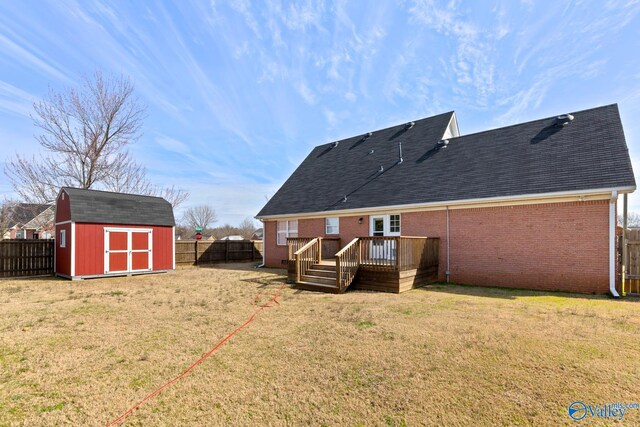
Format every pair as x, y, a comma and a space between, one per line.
386, 264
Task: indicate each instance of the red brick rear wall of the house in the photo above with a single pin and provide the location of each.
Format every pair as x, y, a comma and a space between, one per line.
555, 246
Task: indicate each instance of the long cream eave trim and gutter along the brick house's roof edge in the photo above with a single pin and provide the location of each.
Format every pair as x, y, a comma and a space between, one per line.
556, 197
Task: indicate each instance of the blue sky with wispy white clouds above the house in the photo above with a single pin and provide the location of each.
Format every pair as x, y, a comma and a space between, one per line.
239, 92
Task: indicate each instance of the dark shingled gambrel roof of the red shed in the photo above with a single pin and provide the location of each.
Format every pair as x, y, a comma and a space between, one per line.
105, 207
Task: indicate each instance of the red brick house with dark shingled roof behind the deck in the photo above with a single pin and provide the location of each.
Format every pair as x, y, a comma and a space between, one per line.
532, 205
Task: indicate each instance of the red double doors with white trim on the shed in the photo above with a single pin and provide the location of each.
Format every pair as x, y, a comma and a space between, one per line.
127, 250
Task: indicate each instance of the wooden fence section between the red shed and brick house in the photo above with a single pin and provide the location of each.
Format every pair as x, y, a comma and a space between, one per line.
196, 252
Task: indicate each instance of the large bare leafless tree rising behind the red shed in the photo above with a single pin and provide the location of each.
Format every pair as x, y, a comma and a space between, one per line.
85, 133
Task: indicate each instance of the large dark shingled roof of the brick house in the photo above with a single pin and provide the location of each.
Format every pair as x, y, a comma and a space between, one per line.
536, 157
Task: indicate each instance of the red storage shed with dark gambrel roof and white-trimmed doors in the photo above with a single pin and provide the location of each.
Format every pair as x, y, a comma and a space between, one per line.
100, 233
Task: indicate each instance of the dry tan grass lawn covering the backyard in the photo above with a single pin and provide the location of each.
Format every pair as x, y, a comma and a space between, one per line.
81, 353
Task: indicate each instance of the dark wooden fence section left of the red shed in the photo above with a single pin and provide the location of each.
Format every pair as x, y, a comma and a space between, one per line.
26, 257
